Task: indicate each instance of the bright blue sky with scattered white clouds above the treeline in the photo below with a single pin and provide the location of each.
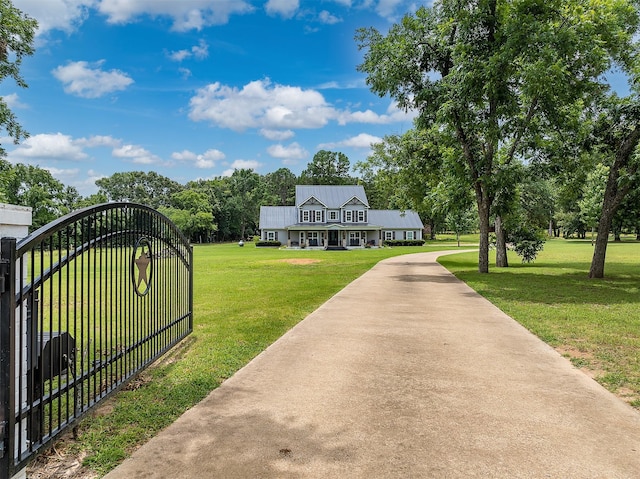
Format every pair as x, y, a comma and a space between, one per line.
195, 88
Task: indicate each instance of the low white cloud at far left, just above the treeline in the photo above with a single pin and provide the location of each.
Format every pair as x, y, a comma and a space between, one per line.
47, 146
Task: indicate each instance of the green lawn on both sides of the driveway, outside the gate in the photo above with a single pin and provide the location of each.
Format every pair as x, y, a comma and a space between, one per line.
246, 298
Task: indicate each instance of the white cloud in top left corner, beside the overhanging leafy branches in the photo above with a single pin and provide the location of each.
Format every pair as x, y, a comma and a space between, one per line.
63, 15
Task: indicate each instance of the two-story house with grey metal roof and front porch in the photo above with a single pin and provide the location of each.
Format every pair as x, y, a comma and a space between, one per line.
335, 217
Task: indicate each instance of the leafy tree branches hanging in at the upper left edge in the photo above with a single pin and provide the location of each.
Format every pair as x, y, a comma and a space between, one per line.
17, 31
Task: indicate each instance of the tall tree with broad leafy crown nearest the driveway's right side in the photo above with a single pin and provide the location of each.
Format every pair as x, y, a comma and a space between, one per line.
492, 73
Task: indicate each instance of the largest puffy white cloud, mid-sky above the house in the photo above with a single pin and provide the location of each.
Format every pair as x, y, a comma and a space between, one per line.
260, 104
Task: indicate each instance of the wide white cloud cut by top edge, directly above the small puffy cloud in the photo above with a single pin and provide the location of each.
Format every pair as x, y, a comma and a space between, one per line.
186, 15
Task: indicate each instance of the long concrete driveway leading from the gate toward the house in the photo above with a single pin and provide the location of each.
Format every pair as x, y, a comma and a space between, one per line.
405, 373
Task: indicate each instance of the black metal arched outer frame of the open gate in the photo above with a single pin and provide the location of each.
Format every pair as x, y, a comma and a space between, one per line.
10, 357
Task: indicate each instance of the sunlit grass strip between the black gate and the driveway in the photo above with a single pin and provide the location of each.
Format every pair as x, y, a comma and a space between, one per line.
244, 299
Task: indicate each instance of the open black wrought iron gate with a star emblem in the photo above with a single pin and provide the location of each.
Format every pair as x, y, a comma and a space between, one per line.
86, 302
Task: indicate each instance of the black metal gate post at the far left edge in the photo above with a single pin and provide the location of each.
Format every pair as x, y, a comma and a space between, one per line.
7, 345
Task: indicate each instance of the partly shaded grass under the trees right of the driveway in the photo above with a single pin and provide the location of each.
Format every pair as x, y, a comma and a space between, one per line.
594, 323
